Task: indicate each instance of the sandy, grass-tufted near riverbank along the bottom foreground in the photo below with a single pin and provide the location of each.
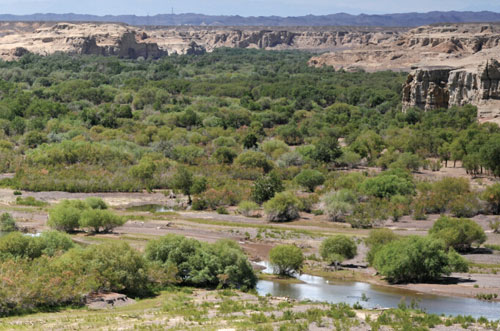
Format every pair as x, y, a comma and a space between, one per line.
194, 309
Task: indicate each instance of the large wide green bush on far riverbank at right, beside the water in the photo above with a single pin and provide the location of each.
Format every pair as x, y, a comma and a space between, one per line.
417, 259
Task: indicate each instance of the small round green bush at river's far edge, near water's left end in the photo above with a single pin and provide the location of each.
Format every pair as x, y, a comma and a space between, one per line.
286, 259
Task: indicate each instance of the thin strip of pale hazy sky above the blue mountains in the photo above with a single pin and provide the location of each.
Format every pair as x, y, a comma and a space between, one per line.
241, 7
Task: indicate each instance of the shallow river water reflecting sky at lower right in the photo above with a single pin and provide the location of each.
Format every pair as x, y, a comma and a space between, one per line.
318, 289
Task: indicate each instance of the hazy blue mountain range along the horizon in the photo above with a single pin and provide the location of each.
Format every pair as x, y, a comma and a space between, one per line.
340, 19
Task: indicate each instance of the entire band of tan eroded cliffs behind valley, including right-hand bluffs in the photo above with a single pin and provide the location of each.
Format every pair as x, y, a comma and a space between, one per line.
449, 64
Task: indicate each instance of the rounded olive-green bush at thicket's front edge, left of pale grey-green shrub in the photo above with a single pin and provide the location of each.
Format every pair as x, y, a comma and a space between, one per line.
284, 207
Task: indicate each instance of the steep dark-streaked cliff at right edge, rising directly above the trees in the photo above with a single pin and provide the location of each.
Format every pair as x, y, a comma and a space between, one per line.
432, 88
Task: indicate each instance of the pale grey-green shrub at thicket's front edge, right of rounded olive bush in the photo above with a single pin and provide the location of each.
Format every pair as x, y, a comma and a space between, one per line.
338, 205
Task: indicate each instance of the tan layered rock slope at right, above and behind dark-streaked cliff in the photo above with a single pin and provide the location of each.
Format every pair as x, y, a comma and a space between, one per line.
446, 45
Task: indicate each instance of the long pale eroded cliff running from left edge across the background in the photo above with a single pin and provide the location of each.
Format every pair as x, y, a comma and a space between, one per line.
153, 42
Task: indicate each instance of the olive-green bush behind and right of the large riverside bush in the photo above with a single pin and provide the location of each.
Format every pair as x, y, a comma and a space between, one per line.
459, 233
